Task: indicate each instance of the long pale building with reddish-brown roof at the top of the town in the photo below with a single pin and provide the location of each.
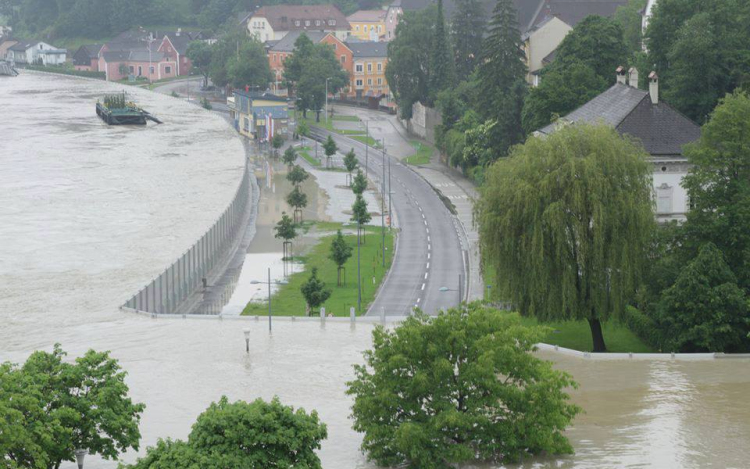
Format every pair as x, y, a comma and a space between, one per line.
273, 22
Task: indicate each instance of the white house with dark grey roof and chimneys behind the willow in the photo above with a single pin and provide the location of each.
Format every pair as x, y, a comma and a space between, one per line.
662, 130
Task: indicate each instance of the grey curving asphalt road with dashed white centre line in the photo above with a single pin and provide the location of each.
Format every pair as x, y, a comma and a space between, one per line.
430, 254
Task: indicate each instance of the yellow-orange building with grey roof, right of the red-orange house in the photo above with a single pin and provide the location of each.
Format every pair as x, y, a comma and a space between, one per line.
370, 61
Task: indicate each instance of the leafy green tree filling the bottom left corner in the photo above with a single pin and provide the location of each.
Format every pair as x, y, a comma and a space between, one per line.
51, 408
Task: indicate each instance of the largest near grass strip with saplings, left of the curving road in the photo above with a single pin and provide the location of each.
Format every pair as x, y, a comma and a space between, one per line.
288, 300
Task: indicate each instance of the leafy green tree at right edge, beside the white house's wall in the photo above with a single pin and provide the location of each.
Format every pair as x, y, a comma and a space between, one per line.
719, 186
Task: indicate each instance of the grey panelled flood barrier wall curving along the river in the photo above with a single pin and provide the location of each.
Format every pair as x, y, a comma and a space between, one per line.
170, 290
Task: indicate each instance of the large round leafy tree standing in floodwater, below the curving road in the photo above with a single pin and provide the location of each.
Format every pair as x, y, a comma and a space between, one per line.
458, 388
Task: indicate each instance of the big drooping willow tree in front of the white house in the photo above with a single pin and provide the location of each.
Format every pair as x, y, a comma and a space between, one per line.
565, 222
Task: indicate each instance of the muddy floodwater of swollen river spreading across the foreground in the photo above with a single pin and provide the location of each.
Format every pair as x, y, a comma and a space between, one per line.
89, 213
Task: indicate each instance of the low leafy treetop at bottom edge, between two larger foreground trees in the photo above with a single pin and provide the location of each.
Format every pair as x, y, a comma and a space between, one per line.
256, 435
